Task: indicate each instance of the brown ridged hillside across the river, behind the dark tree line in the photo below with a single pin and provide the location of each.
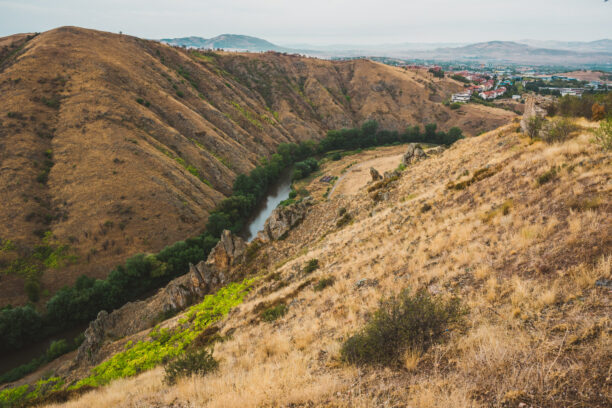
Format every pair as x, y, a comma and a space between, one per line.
111, 145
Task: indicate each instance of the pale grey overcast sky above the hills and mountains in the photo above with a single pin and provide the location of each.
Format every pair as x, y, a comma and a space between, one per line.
322, 21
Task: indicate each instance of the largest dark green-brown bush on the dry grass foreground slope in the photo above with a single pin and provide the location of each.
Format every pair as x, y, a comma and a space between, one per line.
402, 323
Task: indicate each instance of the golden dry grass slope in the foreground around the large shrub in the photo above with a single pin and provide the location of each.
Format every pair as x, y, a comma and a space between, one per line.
523, 253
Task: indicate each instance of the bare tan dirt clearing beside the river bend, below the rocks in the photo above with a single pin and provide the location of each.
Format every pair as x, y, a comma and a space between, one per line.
358, 175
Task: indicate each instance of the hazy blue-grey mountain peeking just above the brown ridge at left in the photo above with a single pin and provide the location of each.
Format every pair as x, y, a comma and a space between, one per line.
227, 42
